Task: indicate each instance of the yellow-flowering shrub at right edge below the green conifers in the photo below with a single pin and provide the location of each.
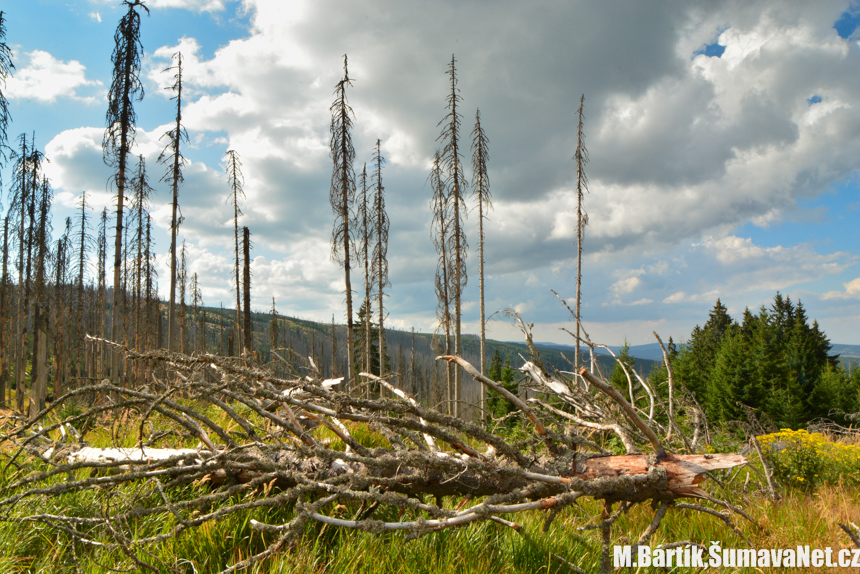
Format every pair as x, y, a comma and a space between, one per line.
803, 460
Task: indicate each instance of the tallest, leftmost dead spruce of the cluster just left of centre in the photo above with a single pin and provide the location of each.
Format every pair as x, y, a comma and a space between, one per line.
342, 197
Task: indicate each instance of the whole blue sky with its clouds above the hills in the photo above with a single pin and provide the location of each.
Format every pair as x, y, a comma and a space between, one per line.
724, 144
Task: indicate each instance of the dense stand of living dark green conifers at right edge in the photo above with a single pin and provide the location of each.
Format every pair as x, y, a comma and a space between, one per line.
774, 362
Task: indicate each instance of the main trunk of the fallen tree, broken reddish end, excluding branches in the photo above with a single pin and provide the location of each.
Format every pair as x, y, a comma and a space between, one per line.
633, 478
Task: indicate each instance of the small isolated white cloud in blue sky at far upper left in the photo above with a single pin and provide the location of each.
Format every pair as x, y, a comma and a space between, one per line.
45, 79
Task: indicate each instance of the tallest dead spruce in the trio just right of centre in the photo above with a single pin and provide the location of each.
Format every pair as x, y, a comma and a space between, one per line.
456, 184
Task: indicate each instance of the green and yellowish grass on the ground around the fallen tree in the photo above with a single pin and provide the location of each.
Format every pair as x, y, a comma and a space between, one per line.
802, 517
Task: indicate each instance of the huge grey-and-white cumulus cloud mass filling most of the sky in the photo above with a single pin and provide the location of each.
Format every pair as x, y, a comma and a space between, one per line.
685, 148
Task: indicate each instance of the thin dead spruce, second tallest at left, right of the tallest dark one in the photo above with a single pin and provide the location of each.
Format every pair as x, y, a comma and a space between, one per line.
172, 157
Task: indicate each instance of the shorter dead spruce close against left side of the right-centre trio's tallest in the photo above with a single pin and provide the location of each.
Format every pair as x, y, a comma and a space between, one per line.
444, 273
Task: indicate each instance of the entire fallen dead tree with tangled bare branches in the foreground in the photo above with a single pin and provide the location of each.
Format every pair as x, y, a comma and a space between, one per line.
257, 432
